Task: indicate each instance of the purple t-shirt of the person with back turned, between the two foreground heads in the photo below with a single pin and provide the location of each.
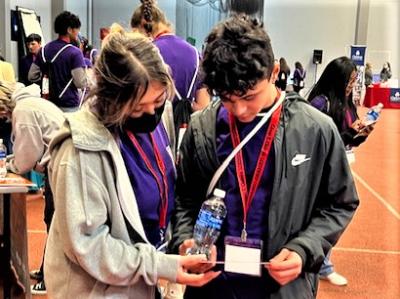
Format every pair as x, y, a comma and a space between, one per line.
181, 58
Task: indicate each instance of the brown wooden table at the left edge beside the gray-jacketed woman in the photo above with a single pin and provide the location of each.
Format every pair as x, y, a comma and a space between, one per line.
14, 274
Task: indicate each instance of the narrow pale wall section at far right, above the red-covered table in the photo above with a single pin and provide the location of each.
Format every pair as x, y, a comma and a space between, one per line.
383, 38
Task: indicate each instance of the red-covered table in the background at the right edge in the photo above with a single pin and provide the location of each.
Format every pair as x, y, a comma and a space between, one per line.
389, 97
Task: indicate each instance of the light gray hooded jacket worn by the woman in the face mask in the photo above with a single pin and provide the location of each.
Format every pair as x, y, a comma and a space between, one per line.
97, 247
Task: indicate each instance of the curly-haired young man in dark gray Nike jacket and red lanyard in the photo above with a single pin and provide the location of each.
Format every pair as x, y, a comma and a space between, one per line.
289, 191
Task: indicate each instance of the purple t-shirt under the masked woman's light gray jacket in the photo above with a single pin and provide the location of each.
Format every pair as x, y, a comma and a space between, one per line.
144, 184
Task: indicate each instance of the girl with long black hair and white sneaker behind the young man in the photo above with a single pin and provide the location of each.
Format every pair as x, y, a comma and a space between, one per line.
332, 95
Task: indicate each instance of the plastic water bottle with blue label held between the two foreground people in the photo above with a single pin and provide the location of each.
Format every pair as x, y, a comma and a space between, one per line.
209, 223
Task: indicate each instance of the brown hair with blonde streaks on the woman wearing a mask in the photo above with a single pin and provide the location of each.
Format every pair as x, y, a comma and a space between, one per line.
124, 69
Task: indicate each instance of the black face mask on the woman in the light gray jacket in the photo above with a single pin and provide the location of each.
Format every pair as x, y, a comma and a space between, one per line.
146, 123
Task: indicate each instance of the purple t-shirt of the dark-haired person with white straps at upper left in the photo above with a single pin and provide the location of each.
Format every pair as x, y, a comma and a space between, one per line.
69, 59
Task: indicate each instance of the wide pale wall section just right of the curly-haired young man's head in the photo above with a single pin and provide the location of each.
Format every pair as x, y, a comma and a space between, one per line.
297, 28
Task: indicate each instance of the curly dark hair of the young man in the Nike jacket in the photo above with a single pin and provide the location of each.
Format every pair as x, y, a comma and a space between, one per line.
238, 54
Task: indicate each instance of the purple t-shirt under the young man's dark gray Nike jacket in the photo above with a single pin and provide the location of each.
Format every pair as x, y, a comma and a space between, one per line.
230, 285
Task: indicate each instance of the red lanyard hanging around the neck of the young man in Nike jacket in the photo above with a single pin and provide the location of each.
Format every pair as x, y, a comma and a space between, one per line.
246, 195
